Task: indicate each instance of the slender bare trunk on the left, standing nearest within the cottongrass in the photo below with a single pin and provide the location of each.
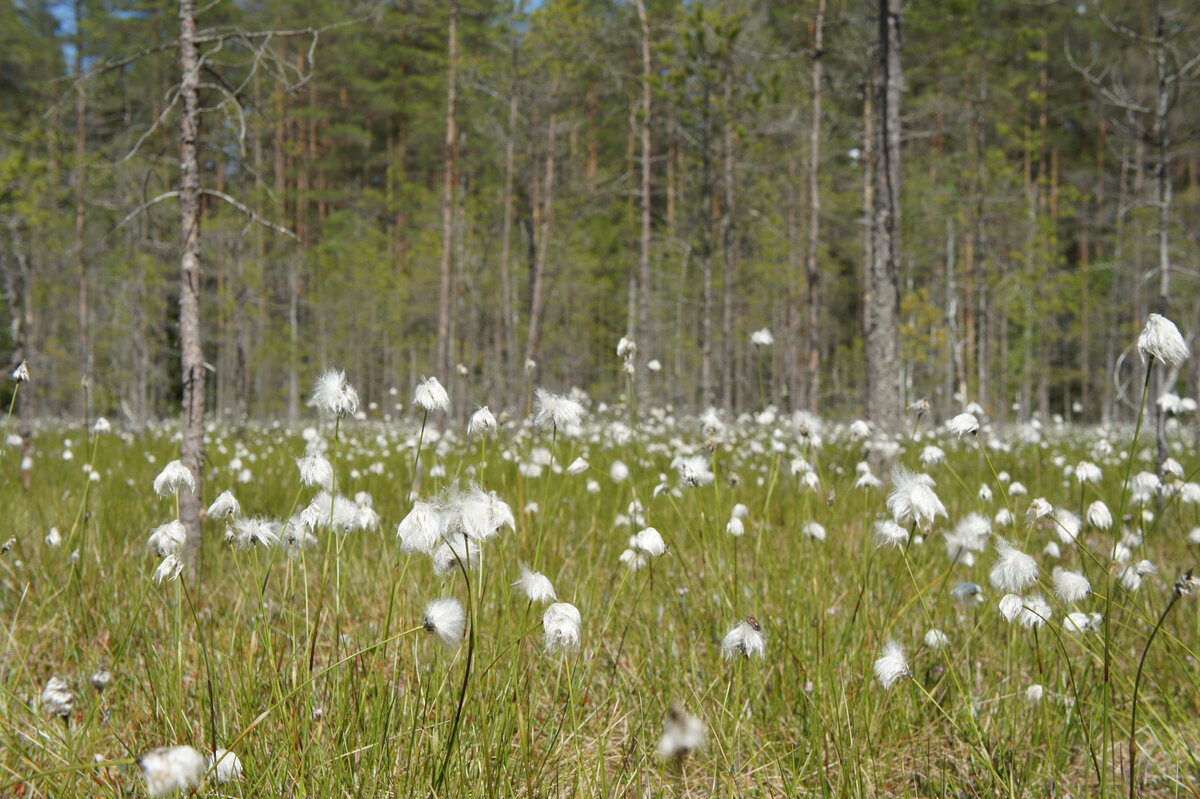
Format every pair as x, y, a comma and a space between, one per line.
191, 448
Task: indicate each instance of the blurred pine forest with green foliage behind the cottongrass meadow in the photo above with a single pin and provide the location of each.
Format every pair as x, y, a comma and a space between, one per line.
453, 189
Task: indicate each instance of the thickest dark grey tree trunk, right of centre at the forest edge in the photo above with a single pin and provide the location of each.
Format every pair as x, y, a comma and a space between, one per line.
884, 292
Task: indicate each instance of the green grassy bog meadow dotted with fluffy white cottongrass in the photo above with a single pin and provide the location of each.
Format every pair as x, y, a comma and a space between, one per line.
303, 647
